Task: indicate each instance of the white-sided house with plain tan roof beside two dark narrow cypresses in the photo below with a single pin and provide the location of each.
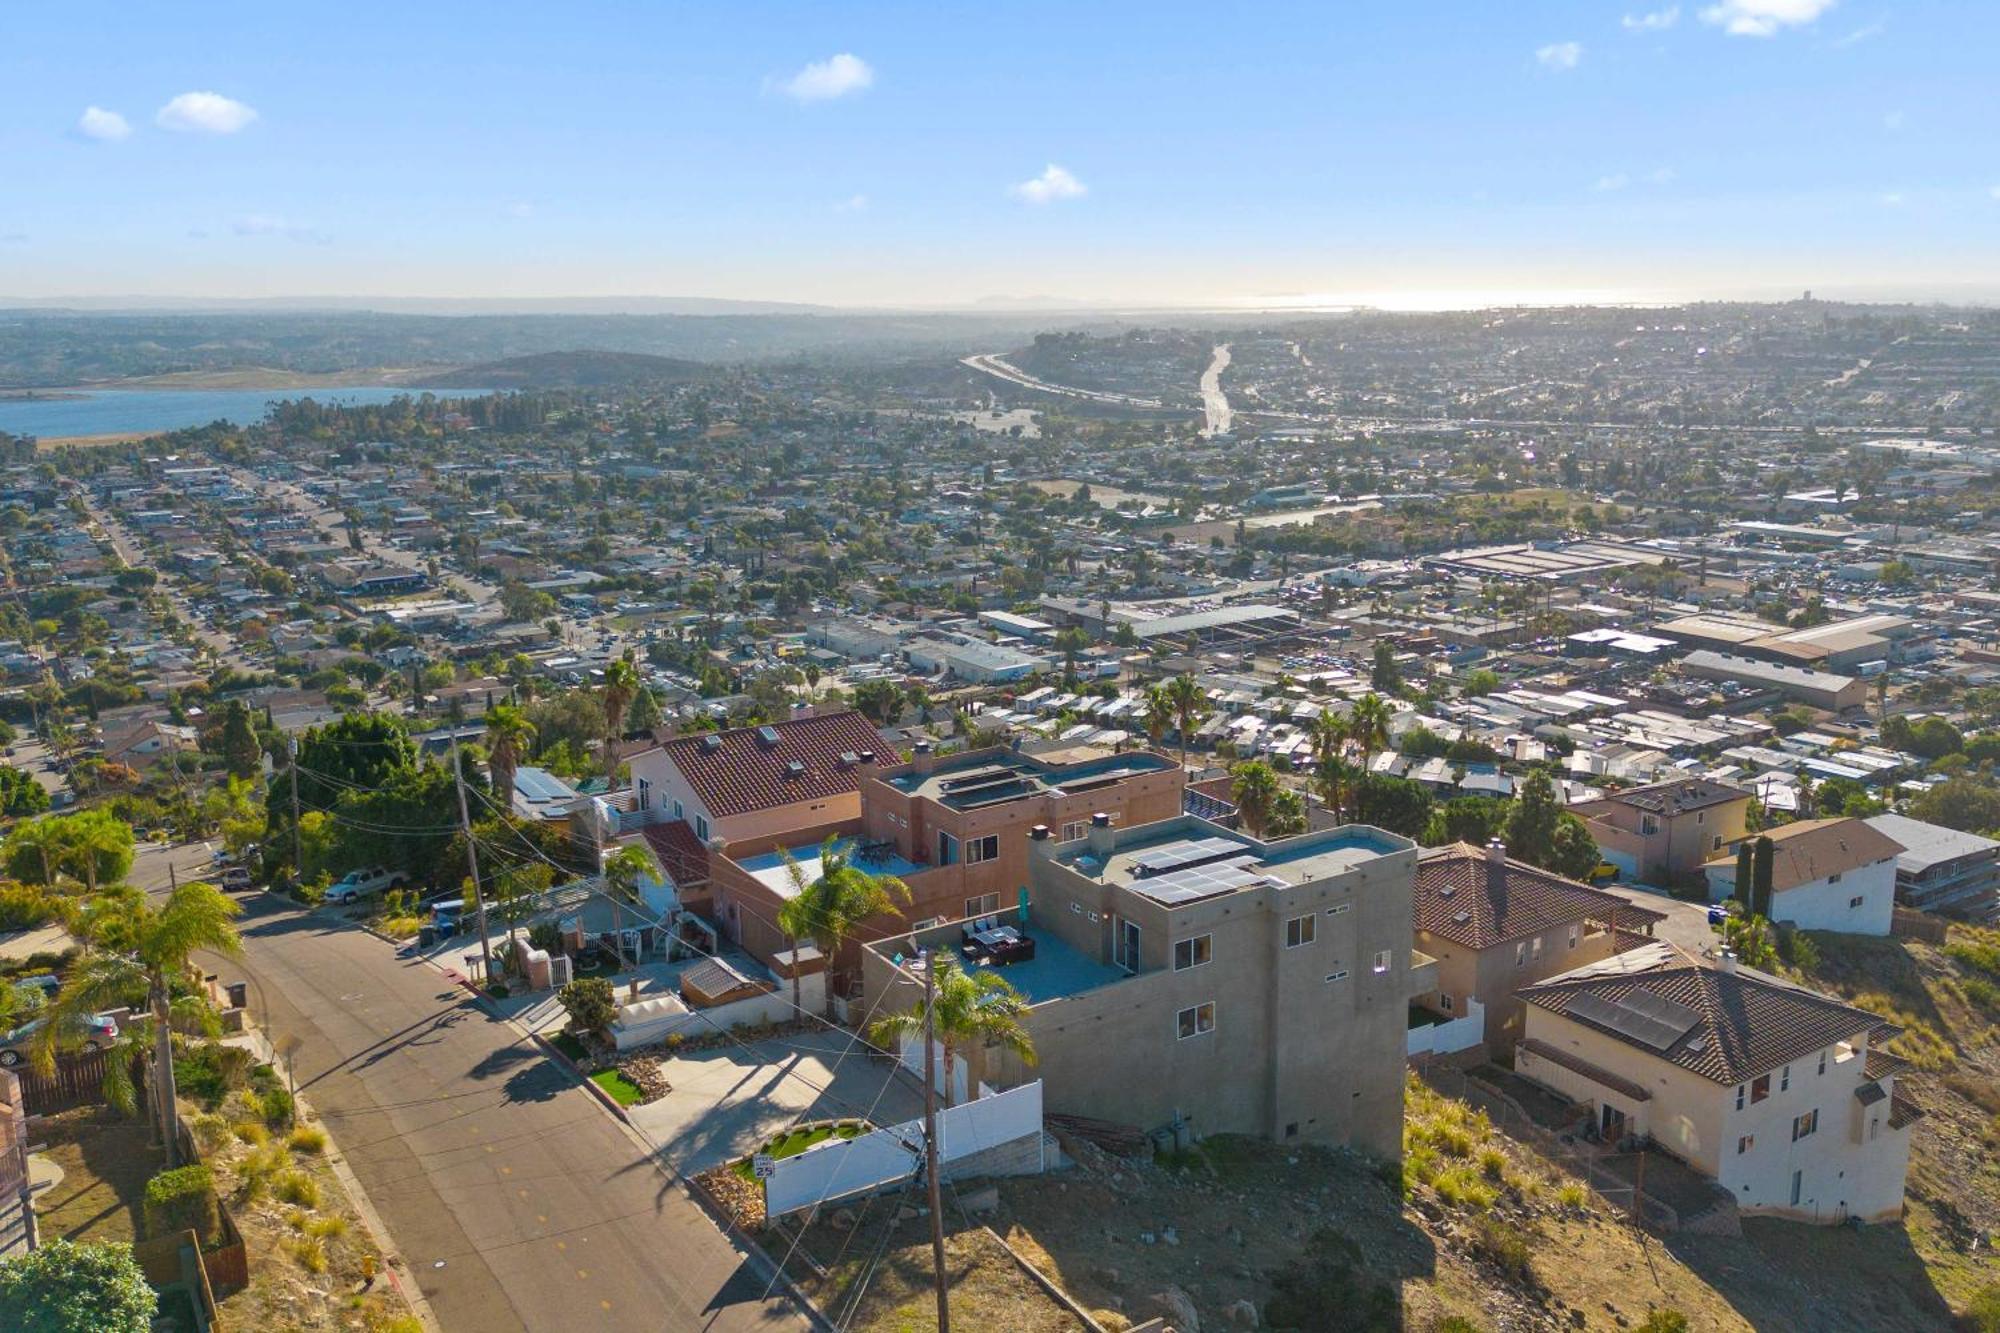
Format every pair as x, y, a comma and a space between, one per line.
1827, 876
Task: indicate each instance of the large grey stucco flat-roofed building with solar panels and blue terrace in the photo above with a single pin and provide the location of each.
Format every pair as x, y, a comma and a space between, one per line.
1189, 978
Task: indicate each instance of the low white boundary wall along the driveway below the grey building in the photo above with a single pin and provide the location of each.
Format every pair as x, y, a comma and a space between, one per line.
841, 1168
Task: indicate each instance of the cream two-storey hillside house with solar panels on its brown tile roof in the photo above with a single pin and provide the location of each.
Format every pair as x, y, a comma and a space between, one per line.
1781, 1096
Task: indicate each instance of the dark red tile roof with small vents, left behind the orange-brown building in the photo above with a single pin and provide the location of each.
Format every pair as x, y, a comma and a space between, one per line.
737, 772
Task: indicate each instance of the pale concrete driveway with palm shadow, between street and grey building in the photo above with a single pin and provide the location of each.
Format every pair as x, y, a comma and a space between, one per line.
731, 1100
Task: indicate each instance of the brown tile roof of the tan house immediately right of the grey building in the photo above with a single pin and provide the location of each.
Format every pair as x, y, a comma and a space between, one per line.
1459, 902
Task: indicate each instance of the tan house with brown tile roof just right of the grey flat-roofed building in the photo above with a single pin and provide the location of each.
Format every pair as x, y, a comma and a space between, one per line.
1497, 926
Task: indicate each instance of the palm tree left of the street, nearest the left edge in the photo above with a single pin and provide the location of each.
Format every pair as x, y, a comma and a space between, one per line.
137, 948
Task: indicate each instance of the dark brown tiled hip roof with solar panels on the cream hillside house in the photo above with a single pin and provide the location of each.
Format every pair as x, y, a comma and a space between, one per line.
1745, 1022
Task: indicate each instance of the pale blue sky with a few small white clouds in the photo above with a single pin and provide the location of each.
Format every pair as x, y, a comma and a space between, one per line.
931, 155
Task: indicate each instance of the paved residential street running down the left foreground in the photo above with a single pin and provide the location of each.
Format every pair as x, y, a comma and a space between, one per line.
515, 1200
